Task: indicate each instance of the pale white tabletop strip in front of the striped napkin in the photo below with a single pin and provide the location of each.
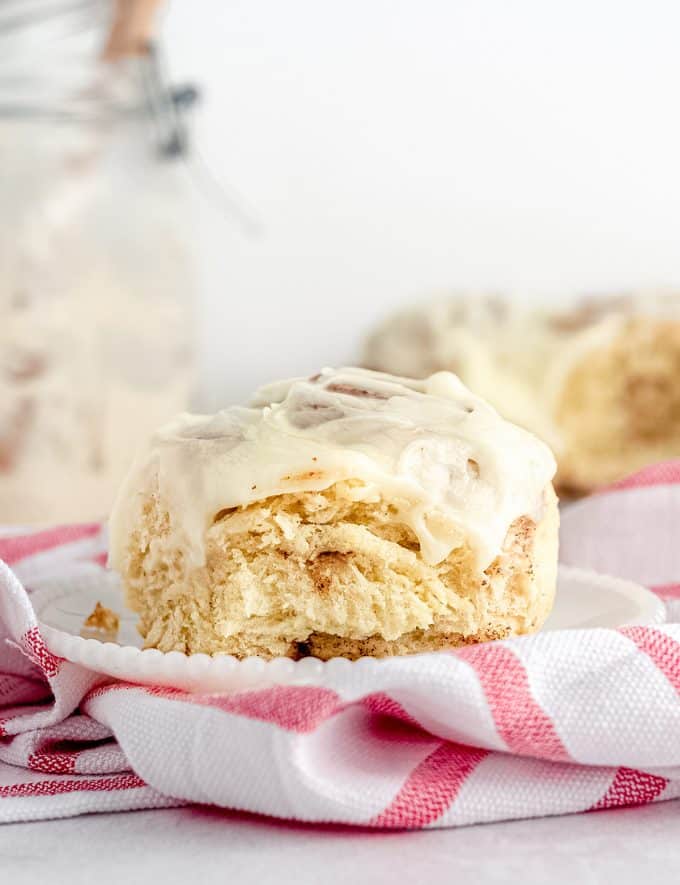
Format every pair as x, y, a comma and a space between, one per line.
201, 846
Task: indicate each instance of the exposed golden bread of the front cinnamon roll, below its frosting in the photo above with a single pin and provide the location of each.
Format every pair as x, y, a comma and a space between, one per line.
320, 573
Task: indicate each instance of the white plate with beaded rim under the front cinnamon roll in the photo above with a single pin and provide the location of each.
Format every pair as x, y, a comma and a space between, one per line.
584, 599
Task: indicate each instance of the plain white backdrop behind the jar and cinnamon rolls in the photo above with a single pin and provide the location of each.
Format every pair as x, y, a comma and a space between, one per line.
393, 149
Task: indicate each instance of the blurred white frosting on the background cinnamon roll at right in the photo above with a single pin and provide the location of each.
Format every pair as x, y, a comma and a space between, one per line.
517, 356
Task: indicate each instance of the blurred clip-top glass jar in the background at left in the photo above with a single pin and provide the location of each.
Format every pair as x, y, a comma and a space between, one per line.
95, 261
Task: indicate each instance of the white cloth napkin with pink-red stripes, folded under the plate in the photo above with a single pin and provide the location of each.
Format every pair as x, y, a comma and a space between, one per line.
559, 722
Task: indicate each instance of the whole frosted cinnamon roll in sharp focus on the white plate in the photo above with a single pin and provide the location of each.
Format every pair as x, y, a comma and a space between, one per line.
352, 513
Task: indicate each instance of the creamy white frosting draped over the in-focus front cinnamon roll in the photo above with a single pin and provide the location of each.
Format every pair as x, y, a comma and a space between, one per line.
452, 468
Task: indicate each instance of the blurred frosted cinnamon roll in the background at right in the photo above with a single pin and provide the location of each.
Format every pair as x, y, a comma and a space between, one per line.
598, 380
